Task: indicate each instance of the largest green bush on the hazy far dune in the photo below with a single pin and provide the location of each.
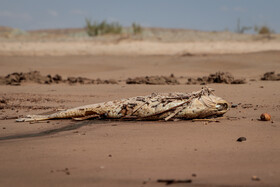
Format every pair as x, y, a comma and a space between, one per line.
101, 28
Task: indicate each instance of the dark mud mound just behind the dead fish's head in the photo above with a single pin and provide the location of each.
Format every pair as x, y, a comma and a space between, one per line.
218, 77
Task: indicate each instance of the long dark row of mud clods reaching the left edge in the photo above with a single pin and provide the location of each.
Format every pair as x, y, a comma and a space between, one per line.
17, 79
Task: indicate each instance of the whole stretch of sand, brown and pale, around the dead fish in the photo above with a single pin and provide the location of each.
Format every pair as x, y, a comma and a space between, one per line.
116, 153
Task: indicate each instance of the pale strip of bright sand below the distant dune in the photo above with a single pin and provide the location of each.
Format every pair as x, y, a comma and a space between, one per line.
54, 48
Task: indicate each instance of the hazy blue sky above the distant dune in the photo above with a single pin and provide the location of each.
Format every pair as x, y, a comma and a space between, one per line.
207, 15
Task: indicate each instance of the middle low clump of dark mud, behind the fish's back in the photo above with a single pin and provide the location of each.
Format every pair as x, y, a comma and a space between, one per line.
154, 80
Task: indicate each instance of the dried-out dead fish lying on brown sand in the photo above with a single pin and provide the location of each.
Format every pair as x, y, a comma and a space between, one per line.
200, 104
